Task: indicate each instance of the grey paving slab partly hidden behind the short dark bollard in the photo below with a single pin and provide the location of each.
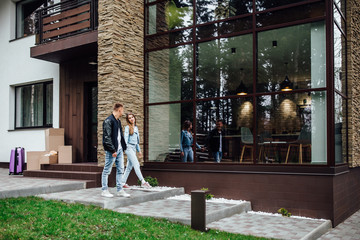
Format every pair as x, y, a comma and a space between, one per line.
180, 210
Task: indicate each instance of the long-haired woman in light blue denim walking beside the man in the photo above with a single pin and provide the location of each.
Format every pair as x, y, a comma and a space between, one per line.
132, 139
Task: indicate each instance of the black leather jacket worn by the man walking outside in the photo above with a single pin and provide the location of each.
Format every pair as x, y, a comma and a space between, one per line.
110, 134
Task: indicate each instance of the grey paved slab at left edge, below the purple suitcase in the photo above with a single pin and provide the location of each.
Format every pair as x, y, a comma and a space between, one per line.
19, 186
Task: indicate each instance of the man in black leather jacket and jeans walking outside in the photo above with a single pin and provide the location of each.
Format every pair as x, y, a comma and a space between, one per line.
114, 145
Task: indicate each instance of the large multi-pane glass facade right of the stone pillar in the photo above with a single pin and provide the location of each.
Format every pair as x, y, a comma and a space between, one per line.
265, 80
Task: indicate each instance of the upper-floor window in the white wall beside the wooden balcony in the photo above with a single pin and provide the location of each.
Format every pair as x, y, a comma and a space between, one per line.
25, 16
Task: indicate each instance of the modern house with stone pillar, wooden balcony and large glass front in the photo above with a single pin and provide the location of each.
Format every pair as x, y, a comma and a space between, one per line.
282, 76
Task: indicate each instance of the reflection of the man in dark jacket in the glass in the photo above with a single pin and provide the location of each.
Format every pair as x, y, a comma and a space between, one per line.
216, 141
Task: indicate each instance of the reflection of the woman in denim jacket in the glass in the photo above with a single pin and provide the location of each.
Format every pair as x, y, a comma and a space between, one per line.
186, 142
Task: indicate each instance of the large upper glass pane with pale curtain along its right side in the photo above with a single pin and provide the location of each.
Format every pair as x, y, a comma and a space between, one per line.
295, 52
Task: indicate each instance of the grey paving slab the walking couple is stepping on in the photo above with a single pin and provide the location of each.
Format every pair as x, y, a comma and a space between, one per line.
93, 196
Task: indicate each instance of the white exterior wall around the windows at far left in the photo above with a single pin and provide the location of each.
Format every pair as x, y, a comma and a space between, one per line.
17, 68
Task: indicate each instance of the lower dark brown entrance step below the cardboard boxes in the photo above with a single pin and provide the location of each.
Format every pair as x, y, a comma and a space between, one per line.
92, 178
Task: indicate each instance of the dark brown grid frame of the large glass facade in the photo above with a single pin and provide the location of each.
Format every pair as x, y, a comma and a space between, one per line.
329, 89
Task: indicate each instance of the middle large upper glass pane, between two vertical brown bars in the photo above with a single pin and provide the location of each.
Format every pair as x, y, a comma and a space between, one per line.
223, 64
